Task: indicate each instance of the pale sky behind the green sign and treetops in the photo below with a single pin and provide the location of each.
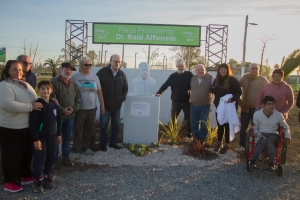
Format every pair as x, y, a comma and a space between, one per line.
43, 23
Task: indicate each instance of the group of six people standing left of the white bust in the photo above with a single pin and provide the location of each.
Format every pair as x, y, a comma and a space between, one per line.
33, 126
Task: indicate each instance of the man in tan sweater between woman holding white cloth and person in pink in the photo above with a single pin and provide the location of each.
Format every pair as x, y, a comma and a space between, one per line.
251, 84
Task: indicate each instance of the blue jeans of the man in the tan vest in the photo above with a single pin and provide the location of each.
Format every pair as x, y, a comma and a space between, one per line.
199, 113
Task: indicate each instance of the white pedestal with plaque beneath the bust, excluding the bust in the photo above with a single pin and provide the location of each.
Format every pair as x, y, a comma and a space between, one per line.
141, 119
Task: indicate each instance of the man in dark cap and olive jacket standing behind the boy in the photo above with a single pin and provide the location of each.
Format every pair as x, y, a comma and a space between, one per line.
68, 96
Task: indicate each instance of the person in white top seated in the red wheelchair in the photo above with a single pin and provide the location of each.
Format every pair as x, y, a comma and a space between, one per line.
266, 121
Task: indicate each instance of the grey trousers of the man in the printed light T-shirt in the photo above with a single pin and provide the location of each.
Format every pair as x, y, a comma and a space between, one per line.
83, 129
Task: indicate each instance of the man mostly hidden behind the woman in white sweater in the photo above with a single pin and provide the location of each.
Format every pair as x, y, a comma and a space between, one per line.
26, 65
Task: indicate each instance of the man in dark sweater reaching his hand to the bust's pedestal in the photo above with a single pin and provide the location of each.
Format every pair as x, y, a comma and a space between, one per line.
180, 85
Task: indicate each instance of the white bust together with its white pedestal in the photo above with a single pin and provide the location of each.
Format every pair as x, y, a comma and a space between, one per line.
141, 113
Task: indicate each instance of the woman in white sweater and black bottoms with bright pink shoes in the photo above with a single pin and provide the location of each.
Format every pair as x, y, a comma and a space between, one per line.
17, 99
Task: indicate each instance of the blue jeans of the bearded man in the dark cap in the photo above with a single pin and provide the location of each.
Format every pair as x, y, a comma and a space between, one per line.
66, 127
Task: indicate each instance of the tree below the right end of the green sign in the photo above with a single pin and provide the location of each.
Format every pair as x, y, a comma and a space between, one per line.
182, 53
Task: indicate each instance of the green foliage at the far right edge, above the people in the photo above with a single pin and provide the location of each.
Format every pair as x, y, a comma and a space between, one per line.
291, 62
